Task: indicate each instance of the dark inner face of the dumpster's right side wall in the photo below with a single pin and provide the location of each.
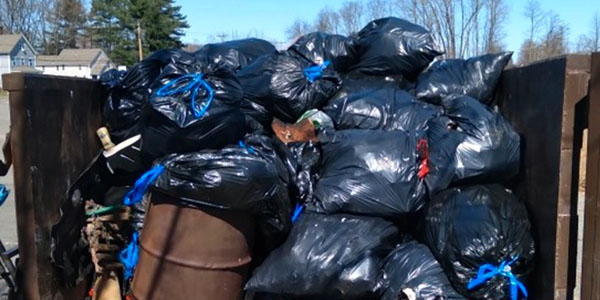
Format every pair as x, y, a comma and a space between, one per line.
531, 98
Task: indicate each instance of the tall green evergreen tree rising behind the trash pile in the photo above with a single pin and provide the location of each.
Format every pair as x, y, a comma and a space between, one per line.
114, 27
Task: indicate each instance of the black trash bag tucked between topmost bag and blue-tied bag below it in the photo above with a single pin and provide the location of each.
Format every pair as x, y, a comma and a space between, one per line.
318, 47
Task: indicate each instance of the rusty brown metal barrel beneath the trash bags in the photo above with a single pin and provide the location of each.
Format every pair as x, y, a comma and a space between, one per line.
192, 253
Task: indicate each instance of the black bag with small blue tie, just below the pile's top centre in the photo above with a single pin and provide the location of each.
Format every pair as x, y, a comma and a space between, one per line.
278, 83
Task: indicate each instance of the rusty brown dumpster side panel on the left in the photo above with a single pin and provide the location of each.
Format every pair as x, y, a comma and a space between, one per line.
54, 121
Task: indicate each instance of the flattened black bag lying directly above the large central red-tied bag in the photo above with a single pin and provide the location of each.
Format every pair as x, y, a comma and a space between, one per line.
381, 108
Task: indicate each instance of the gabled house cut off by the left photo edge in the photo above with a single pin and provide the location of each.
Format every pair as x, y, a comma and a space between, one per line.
16, 55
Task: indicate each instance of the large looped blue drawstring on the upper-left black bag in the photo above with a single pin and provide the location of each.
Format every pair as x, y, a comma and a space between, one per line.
196, 81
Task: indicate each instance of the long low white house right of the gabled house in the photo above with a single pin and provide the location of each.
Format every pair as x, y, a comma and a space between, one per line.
87, 63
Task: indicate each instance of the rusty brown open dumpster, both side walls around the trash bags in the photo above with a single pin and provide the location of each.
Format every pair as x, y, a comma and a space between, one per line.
53, 121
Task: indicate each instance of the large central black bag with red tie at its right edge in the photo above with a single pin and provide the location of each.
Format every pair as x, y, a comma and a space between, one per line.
370, 172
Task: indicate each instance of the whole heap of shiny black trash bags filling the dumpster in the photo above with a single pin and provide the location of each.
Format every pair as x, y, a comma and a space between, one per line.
332, 146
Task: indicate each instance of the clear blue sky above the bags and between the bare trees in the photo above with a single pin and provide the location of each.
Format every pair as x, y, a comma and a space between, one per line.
268, 19
